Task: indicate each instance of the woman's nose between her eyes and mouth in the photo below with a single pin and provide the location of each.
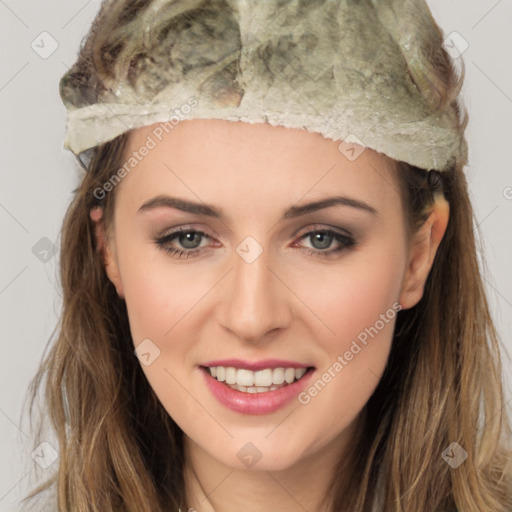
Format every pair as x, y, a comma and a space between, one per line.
254, 301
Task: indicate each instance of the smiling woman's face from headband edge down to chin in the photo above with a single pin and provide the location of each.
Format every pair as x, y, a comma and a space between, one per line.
259, 278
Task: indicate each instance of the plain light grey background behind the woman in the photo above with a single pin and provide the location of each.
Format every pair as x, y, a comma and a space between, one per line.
38, 177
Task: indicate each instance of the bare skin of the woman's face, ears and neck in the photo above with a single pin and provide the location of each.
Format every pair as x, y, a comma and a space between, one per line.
288, 303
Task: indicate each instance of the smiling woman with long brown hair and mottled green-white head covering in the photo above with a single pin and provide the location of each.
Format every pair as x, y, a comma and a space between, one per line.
271, 296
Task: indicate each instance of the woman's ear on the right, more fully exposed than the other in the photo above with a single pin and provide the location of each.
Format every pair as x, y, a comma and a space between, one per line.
422, 250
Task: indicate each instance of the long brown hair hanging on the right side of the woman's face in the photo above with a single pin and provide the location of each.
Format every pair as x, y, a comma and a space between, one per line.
442, 384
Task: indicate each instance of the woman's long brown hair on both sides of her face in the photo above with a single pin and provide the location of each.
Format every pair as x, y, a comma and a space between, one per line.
120, 450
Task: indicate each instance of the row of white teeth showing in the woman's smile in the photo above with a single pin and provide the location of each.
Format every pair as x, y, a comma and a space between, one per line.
261, 381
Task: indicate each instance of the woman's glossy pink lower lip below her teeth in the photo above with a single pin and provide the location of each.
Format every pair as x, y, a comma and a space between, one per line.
255, 403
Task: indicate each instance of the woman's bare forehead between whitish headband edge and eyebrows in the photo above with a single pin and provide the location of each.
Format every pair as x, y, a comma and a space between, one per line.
212, 158
